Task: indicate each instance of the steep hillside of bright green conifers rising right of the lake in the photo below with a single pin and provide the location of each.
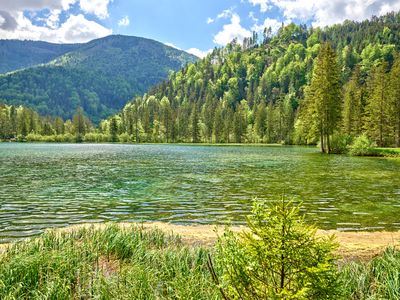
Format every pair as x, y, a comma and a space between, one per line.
271, 89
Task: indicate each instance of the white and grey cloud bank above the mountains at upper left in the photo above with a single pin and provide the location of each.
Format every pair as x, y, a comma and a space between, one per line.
15, 23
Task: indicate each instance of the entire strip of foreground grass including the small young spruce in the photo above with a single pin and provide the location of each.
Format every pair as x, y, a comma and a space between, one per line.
121, 262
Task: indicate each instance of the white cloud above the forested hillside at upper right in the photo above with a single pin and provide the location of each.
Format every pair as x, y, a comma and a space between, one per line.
328, 12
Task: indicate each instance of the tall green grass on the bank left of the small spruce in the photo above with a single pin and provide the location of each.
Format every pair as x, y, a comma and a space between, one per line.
114, 263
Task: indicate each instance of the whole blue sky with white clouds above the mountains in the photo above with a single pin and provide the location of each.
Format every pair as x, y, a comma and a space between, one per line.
192, 25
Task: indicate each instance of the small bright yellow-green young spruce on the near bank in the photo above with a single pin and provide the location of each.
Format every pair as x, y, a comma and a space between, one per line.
279, 257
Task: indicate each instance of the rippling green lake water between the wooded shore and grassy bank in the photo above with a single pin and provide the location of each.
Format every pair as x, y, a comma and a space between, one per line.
54, 185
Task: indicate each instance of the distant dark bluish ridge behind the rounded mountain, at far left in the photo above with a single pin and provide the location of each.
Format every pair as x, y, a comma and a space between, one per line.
16, 54
